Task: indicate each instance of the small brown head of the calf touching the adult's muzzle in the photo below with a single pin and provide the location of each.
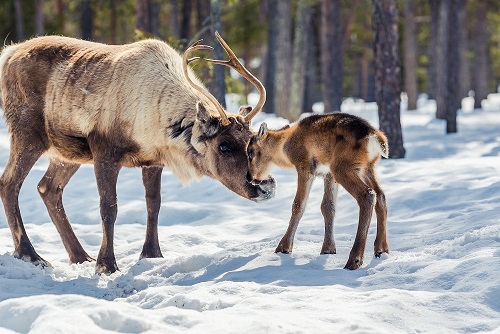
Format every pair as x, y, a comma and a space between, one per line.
260, 159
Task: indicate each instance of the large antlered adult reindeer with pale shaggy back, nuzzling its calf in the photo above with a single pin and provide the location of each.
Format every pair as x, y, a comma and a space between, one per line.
135, 105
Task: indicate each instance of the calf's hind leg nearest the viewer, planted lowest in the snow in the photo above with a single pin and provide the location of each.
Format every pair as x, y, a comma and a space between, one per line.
350, 179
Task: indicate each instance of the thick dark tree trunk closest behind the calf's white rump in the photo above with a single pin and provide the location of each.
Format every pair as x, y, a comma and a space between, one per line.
388, 73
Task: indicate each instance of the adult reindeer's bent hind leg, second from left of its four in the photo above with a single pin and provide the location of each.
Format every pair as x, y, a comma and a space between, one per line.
51, 188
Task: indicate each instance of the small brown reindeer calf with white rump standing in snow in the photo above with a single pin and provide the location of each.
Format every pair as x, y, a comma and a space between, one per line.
342, 147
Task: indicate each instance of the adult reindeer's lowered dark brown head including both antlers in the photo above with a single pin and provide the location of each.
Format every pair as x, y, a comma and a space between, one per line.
223, 140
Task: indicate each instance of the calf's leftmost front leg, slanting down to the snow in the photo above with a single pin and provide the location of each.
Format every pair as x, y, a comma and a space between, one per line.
299, 204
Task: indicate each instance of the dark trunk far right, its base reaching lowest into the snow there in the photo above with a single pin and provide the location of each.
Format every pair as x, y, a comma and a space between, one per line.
453, 96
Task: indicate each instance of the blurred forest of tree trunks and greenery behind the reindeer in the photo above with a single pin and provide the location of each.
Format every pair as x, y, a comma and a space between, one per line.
304, 51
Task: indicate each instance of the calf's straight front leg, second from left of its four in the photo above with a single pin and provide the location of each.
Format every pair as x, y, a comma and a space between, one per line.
328, 207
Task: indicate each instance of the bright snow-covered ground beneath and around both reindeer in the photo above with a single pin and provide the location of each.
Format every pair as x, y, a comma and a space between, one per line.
219, 273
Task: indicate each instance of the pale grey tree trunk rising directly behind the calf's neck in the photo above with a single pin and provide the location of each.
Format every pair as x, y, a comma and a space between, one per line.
282, 83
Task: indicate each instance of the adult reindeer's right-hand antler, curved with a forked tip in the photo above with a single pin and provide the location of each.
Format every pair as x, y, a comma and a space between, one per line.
235, 64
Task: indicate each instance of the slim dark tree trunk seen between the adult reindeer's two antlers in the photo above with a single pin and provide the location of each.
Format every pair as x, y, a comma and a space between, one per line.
218, 84
